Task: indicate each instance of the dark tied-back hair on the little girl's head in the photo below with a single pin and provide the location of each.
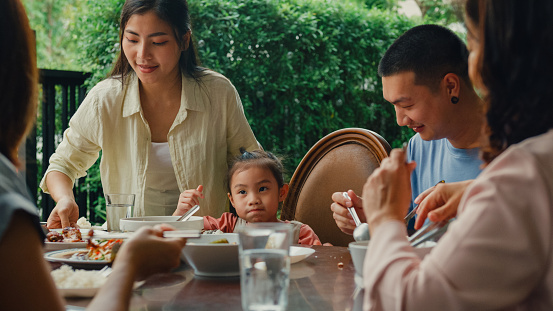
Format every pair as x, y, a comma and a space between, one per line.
258, 158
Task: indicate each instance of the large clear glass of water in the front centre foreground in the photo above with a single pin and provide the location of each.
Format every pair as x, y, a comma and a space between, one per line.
265, 265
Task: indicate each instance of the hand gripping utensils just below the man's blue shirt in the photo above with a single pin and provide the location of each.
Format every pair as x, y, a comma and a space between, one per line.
440, 202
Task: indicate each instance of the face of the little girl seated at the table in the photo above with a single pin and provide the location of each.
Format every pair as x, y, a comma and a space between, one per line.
255, 194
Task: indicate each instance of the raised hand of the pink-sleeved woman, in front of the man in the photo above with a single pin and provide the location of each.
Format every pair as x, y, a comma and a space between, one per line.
387, 192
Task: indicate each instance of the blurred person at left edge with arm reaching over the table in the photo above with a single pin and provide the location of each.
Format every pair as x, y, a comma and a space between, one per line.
26, 281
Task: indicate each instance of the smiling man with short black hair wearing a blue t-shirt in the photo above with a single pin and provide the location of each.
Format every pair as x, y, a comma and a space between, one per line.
425, 76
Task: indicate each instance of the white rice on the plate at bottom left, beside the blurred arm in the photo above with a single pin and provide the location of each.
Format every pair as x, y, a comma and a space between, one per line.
65, 277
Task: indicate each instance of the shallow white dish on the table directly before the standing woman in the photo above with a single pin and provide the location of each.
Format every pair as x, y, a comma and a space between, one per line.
134, 223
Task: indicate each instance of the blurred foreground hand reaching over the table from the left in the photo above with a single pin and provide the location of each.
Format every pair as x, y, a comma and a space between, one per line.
148, 252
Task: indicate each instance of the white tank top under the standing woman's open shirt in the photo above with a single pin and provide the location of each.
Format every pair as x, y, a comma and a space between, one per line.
162, 190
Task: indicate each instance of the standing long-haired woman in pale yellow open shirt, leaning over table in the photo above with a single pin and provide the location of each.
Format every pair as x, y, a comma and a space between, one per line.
163, 123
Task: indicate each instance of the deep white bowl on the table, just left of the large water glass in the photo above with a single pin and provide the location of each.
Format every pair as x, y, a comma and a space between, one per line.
213, 260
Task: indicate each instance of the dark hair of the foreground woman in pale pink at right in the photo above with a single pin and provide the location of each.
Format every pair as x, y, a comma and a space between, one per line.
516, 40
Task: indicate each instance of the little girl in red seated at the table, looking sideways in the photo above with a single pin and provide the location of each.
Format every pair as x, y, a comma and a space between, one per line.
255, 189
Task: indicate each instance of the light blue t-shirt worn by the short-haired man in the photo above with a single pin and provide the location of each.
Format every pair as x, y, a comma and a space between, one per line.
438, 160
